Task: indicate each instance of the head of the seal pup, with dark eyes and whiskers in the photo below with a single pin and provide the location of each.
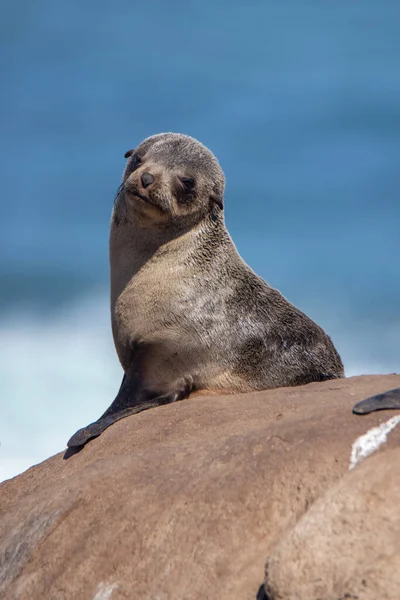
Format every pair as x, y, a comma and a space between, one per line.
171, 178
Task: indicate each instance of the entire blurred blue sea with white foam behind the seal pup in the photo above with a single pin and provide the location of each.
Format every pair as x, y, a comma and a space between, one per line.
300, 101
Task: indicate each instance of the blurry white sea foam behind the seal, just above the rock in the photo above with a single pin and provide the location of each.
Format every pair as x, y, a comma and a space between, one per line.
59, 373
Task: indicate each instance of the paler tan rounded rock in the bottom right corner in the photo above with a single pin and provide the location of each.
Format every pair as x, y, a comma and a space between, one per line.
348, 544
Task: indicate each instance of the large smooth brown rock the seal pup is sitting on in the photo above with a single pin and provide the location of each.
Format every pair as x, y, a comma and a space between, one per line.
186, 501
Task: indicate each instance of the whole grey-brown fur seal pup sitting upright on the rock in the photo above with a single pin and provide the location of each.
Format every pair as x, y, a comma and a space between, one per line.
188, 314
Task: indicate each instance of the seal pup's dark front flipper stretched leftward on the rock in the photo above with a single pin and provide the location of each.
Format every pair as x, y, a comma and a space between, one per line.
125, 404
